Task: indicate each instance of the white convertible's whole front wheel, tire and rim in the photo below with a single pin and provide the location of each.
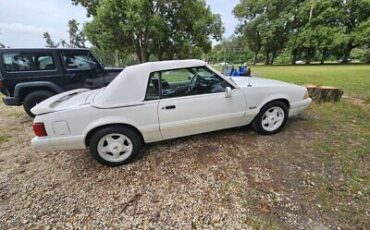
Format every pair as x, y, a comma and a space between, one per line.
271, 119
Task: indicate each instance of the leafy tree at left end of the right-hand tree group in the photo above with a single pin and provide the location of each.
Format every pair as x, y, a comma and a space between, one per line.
267, 22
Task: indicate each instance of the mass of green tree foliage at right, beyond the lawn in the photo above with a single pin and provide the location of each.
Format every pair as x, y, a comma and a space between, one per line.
329, 27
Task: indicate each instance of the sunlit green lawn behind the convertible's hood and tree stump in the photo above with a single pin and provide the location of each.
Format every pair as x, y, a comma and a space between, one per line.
353, 79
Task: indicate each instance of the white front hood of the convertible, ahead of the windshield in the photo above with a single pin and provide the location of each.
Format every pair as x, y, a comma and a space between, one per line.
257, 82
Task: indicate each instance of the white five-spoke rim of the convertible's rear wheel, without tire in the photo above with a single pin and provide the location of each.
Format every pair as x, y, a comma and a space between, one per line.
115, 147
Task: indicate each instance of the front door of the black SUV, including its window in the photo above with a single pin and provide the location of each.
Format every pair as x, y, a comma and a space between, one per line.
82, 70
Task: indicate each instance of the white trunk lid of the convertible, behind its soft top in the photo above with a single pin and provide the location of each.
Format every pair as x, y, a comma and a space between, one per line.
64, 101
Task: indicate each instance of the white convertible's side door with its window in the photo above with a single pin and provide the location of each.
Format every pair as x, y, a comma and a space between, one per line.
193, 101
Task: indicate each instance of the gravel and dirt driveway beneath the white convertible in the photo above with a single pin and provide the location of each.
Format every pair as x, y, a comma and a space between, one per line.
232, 179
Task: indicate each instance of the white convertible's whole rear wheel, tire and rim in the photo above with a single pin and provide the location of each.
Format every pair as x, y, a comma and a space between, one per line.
114, 146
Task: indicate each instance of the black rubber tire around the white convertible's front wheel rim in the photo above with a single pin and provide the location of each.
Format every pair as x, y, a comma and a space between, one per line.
257, 122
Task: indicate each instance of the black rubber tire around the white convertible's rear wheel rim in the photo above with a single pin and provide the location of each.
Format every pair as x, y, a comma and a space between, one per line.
130, 133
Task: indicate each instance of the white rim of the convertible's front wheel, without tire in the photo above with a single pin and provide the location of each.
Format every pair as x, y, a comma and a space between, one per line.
273, 118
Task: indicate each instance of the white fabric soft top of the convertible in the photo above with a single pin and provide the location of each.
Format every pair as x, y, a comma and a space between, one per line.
129, 87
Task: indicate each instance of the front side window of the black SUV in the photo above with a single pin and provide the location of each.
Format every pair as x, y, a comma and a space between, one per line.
78, 60
